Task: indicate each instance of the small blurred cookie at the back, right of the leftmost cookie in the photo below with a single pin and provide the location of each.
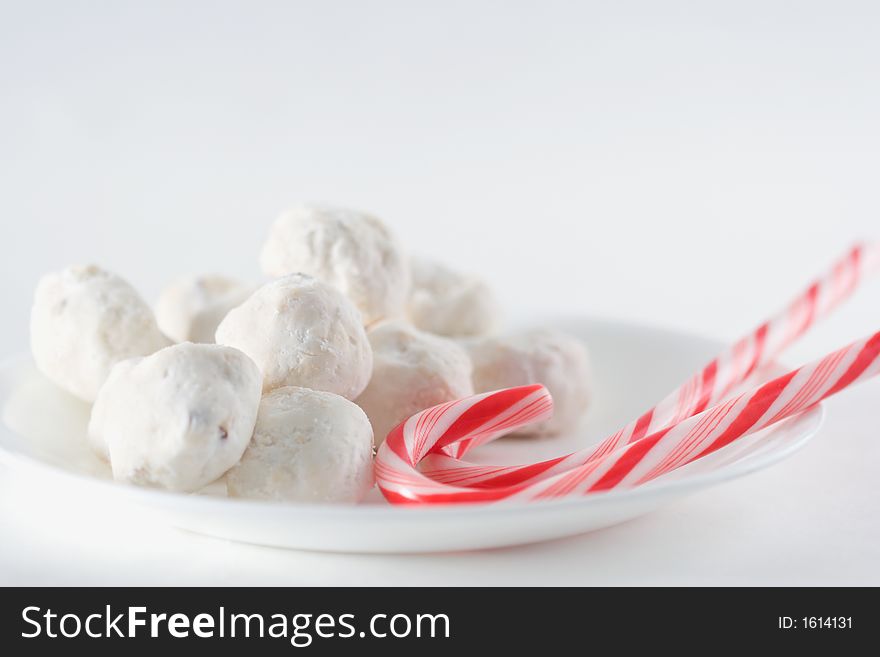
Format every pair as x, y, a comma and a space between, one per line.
191, 308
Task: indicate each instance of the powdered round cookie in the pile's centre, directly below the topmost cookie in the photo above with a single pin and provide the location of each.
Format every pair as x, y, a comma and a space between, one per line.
302, 332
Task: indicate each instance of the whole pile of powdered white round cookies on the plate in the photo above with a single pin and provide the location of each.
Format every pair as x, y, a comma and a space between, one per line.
283, 389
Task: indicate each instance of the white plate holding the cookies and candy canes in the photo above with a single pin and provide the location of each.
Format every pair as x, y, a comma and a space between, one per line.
43, 432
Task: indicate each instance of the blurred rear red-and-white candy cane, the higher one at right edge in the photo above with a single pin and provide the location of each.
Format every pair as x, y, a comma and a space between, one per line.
708, 386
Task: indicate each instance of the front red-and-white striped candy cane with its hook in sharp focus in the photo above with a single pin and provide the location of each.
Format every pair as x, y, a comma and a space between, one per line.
492, 414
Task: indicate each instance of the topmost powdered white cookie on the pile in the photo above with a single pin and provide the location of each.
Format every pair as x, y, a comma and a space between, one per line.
353, 251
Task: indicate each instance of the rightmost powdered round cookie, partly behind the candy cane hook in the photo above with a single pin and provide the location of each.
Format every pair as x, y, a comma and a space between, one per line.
555, 359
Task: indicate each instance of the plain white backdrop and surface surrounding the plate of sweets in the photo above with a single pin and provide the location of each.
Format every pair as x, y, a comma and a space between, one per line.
685, 164
